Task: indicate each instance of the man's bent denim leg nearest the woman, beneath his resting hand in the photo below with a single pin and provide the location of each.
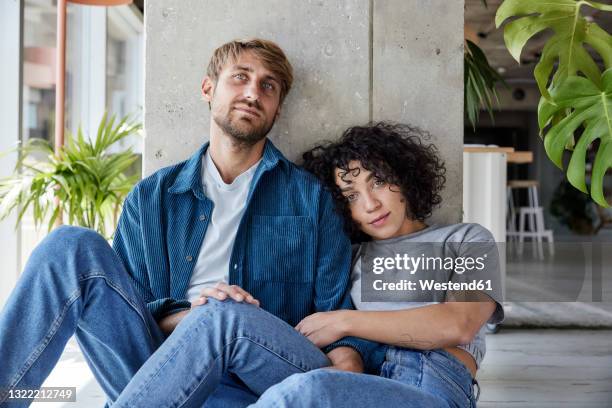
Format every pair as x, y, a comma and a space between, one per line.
214, 339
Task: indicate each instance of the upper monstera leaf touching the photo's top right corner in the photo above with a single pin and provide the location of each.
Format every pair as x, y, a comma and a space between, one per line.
566, 46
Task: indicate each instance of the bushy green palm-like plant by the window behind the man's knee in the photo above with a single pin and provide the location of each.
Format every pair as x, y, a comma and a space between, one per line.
85, 182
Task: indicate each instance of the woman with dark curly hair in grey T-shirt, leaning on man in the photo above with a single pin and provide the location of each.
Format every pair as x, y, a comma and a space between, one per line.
386, 182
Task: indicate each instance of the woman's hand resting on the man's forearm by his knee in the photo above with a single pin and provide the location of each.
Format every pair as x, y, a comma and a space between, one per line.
324, 328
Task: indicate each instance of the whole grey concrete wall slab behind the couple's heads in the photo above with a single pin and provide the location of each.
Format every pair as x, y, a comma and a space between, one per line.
354, 61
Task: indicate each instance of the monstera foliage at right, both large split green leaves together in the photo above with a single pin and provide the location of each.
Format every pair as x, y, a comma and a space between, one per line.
577, 96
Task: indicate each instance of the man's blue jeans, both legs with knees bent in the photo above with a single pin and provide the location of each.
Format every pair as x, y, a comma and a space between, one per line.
74, 283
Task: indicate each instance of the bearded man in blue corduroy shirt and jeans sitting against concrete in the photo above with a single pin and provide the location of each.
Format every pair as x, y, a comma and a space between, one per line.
236, 221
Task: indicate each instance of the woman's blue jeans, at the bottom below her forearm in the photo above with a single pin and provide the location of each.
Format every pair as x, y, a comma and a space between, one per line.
409, 378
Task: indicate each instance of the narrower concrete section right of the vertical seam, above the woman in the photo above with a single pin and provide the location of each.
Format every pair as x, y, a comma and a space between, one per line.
417, 49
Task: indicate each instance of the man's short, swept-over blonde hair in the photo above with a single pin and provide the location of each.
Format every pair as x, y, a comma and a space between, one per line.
268, 52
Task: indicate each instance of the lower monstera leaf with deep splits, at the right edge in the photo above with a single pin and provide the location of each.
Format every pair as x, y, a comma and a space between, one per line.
590, 106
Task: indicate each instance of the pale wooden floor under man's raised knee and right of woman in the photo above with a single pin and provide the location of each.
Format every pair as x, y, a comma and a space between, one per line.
537, 368
